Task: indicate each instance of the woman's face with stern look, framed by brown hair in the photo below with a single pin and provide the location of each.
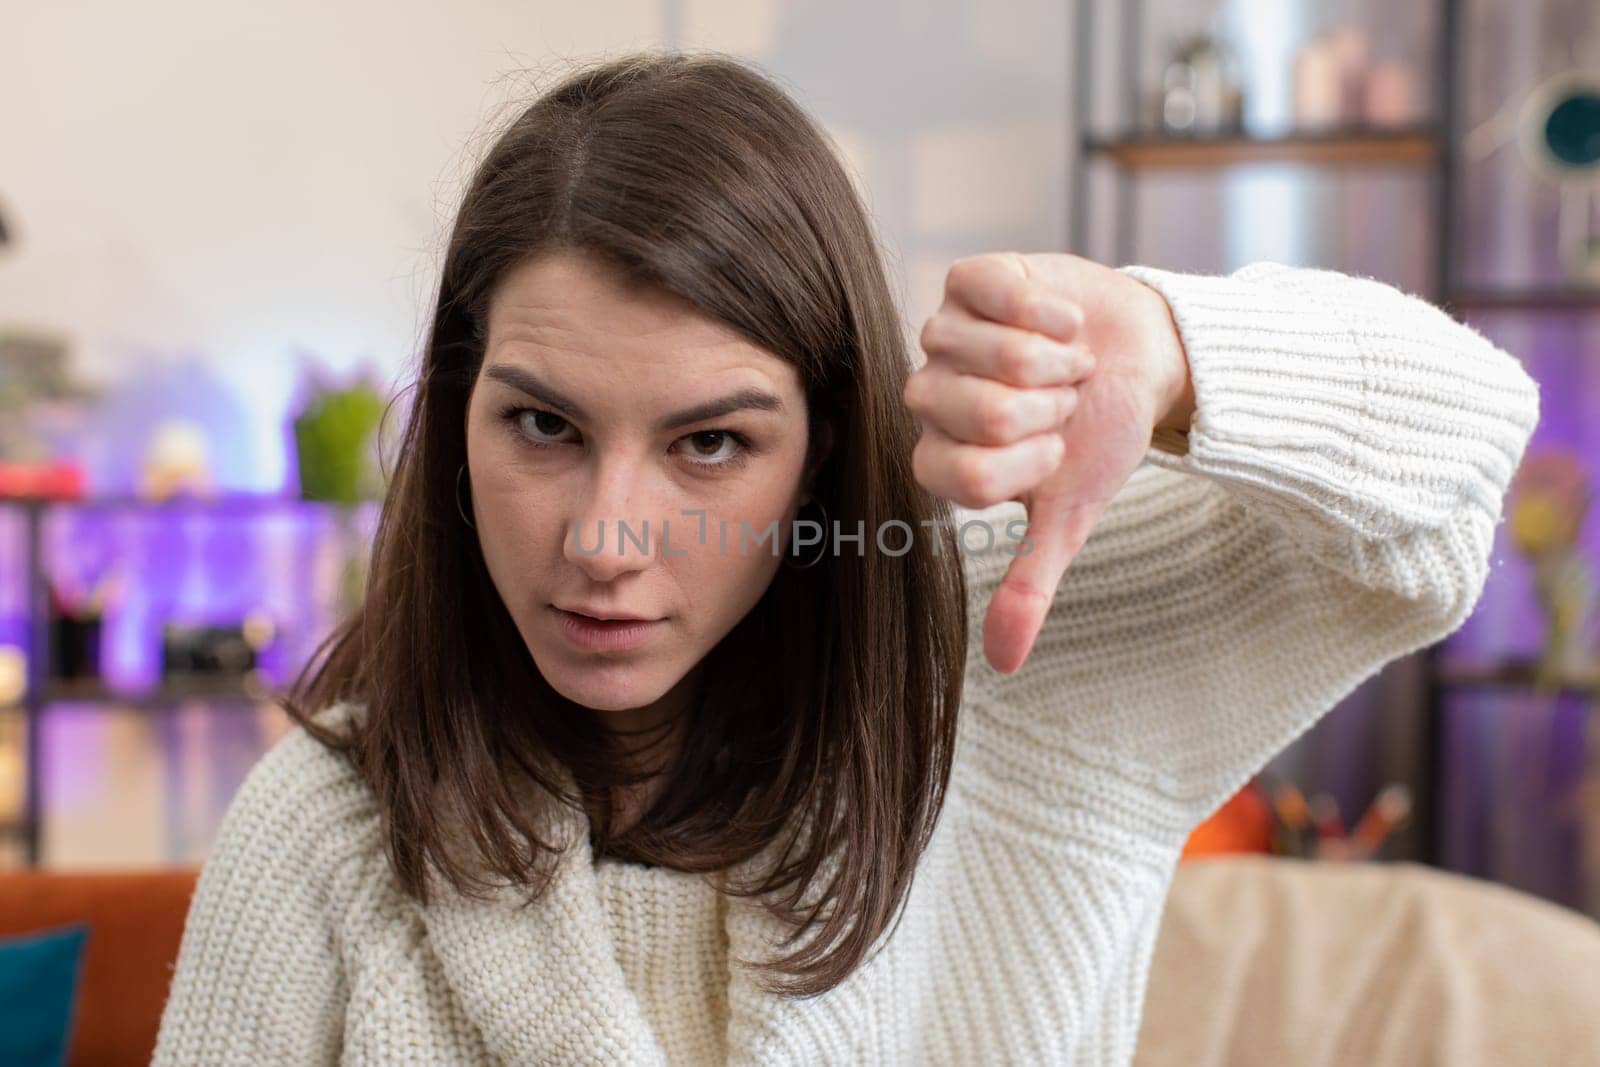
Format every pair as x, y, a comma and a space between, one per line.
602, 406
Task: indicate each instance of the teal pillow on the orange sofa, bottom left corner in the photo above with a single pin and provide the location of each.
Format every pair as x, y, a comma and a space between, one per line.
39, 978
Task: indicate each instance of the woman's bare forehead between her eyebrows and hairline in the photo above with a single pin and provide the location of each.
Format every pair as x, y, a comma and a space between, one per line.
575, 305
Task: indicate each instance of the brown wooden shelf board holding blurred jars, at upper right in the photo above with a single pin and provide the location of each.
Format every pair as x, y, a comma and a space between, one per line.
1335, 148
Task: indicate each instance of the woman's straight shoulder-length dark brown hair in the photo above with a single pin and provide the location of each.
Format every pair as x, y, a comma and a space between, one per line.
838, 695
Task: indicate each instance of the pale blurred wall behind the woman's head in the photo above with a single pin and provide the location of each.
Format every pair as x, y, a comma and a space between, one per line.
207, 194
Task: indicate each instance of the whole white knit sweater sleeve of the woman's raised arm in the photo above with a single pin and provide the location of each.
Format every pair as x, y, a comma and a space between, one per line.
1332, 508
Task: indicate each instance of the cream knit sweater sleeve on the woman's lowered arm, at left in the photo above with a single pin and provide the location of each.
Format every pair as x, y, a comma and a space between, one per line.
258, 977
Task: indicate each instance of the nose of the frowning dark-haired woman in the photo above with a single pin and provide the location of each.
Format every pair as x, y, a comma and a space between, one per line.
617, 521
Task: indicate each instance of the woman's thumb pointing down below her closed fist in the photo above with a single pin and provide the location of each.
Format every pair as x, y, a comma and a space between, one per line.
1055, 533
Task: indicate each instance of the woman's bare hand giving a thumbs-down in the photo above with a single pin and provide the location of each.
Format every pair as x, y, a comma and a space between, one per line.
1046, 378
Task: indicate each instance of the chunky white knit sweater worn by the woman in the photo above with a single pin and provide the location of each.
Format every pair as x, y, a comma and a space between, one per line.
1335, 510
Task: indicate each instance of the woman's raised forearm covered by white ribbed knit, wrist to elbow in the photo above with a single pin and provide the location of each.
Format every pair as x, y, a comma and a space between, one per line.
1345, 402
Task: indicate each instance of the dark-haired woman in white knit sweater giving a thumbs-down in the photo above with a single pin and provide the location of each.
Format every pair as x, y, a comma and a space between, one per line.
623, 764
